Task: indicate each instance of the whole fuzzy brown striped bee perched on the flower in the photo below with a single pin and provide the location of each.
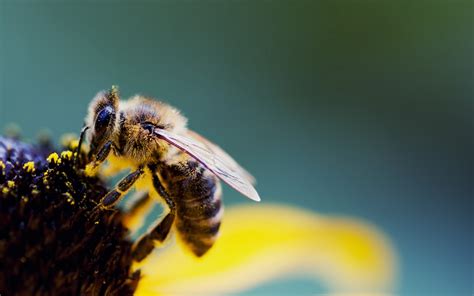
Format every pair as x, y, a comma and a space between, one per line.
183, 168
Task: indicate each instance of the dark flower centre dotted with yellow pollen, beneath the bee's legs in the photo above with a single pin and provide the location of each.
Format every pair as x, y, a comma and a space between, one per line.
54, 240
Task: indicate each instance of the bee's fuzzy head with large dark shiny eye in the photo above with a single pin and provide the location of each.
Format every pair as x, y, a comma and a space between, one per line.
101, 118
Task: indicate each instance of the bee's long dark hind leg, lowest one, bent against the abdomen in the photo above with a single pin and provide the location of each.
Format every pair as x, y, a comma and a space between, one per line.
159, 232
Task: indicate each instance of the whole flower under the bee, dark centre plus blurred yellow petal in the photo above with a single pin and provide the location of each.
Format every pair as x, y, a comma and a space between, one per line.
55, 240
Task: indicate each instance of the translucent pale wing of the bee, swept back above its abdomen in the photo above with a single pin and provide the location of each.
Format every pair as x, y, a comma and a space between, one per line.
213, 161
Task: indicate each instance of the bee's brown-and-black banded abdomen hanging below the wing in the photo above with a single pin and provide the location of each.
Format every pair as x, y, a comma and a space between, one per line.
199, 212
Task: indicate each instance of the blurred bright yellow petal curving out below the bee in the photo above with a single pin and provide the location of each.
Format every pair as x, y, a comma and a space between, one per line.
263, 242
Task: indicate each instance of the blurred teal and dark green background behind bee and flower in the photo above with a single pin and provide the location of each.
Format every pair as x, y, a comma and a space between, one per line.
359, 108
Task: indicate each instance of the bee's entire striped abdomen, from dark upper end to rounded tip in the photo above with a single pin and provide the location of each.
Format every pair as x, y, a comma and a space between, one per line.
197, 195
